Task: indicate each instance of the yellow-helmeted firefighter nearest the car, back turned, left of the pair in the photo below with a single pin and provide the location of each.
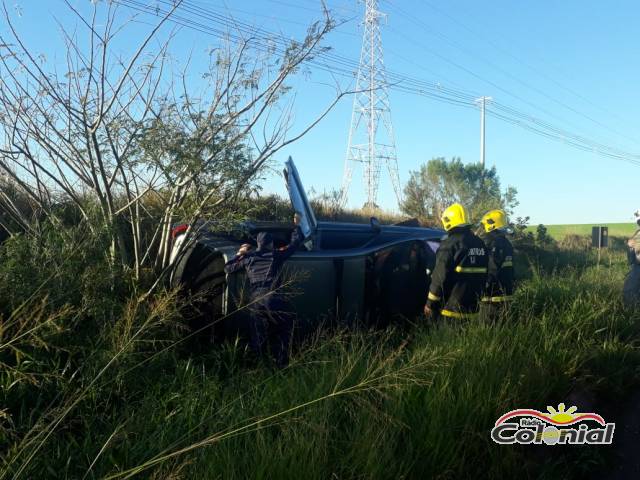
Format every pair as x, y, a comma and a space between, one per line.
461, 269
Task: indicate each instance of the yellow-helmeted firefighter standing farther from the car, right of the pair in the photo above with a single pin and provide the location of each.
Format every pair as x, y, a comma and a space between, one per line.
499, 287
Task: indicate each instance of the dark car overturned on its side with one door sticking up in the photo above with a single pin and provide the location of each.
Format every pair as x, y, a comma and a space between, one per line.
342, 272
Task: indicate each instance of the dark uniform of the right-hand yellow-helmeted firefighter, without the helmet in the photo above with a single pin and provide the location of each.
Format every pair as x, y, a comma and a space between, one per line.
499, 288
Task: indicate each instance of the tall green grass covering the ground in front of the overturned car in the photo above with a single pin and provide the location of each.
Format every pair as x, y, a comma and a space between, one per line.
408, 402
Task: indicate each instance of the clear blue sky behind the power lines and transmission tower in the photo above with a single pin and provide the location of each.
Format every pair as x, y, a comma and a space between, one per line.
573, 63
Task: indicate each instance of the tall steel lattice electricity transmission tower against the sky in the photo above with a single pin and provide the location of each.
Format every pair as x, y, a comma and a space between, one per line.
371, 140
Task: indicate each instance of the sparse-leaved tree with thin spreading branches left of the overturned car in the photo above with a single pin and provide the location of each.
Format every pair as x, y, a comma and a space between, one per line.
129, 141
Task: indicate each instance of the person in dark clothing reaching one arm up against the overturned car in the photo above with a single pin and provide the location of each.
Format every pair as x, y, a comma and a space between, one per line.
270, 321
